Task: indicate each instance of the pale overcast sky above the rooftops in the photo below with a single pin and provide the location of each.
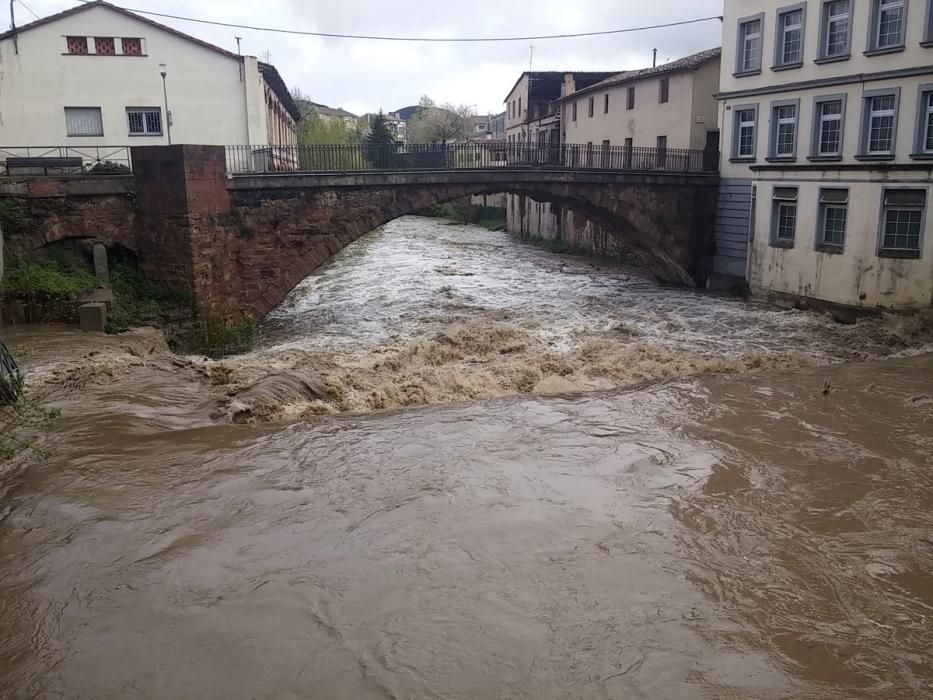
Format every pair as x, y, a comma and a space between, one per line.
363, 76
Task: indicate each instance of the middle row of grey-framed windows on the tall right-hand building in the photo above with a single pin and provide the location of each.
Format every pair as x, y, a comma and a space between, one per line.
880, 112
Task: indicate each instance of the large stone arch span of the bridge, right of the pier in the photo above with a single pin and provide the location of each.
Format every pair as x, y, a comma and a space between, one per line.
301, 228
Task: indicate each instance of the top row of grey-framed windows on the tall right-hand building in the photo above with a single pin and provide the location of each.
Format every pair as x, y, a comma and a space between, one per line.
887, 32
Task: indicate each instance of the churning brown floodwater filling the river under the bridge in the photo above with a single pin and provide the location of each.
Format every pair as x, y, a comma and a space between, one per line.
472, 469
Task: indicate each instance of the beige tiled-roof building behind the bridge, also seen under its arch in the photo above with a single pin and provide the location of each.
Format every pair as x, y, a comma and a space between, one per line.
672, 106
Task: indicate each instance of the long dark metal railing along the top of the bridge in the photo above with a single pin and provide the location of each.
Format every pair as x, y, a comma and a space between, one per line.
454, 156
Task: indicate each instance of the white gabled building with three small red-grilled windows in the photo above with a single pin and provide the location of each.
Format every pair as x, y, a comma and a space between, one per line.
93, 76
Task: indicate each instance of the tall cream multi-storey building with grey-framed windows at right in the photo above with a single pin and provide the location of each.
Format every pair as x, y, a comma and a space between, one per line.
827, 114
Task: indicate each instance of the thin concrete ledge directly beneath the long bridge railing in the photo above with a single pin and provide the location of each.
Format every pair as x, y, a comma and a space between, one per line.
487, 176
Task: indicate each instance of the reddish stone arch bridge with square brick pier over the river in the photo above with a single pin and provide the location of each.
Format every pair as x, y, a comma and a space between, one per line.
240, 244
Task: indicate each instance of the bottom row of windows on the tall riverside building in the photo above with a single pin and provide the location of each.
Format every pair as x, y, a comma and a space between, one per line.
900, 225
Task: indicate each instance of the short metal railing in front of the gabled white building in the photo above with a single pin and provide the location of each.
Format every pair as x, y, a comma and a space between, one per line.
65, 160
